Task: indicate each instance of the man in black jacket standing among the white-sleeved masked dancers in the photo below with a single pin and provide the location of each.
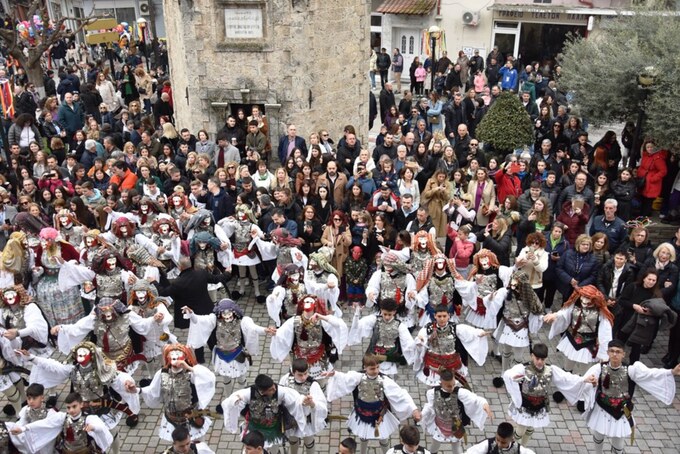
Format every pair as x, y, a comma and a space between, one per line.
190, 289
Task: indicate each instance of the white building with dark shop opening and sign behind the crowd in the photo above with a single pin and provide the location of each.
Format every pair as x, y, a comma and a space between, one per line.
531, 30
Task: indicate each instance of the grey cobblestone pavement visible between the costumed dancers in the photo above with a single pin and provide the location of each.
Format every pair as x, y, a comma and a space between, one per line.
567, 434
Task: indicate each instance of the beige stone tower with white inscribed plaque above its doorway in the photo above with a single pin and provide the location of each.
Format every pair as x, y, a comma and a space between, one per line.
305, 61
